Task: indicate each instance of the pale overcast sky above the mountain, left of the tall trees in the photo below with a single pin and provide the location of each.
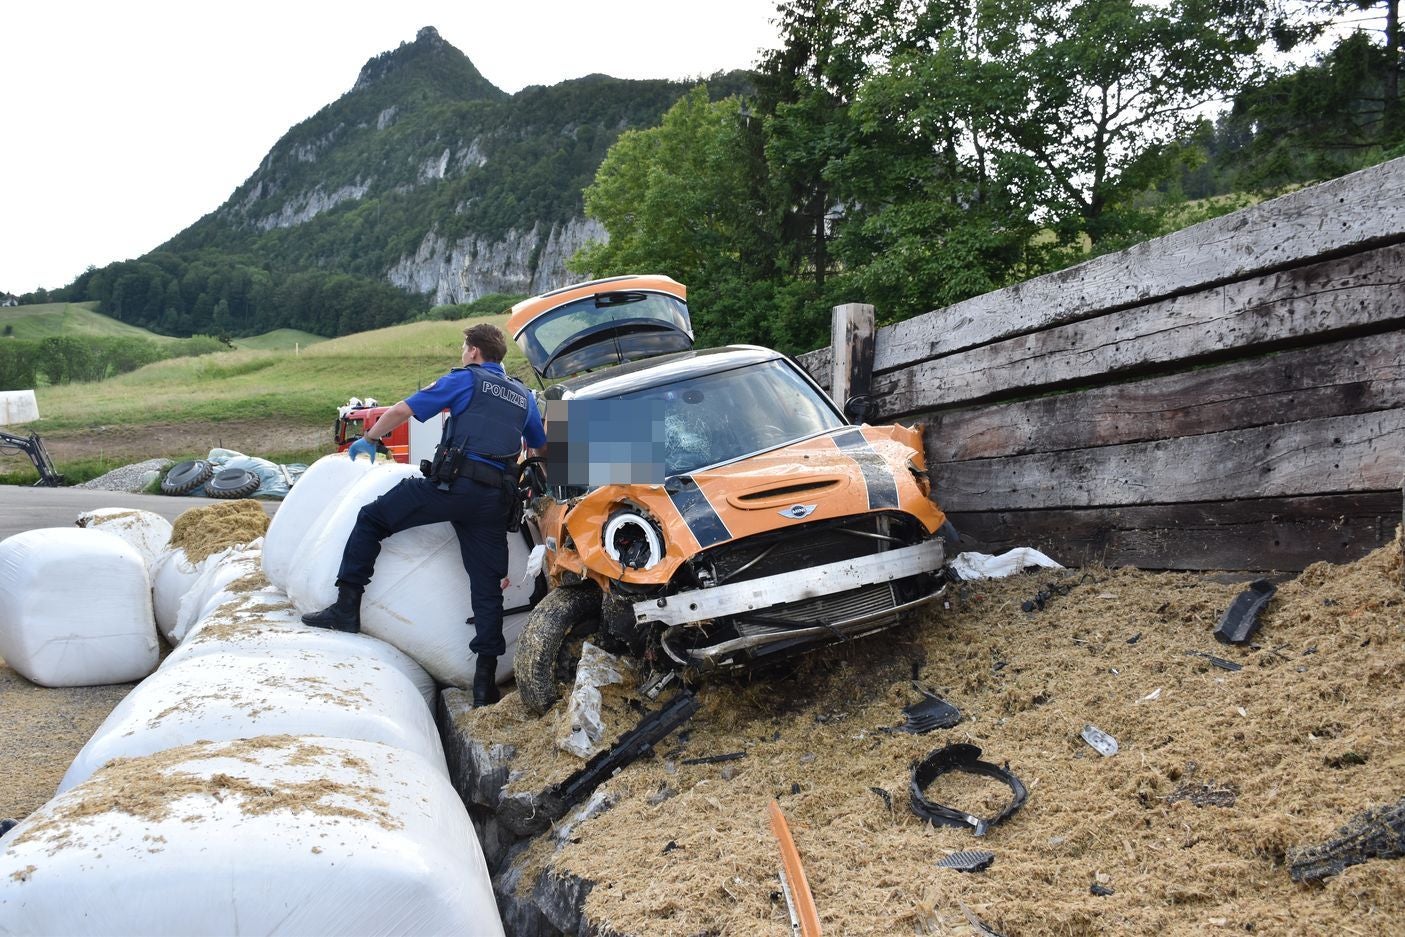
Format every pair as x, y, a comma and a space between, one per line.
123, 123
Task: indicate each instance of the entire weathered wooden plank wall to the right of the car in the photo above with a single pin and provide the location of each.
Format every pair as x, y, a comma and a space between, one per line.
1229, 397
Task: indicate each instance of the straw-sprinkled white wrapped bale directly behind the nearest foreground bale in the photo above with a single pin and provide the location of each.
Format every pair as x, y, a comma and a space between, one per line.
231, 696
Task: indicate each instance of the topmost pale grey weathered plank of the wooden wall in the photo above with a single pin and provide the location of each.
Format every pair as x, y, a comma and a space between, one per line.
1352, 213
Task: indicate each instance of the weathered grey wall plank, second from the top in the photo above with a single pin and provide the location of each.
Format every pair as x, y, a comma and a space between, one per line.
1357, 293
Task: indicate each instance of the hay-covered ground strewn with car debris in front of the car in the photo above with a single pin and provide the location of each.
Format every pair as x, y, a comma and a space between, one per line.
1222, 775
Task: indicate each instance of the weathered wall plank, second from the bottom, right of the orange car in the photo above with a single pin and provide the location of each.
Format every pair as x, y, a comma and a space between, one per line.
1359, 453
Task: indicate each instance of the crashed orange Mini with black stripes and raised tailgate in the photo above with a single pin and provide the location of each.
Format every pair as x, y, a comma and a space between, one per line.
707, 509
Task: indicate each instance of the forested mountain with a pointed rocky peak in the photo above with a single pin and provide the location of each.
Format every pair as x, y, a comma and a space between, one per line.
421, 145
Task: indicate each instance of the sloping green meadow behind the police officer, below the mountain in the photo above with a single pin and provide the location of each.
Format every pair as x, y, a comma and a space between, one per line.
294, 387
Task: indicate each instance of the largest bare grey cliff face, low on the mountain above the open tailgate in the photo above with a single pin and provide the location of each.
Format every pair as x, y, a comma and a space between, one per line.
529, 262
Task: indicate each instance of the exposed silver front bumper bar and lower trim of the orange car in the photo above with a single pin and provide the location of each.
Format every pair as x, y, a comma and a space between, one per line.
771, 592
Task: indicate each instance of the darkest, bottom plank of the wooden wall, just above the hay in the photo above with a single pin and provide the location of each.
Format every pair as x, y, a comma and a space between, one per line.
1260, 535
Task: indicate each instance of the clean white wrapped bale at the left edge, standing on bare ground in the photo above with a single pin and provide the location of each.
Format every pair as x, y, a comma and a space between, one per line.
75, 609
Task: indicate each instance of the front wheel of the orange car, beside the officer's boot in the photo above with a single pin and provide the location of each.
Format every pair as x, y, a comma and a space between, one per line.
550, 646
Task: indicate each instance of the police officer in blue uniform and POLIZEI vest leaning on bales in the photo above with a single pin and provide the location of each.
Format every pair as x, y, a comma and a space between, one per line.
471, 484
